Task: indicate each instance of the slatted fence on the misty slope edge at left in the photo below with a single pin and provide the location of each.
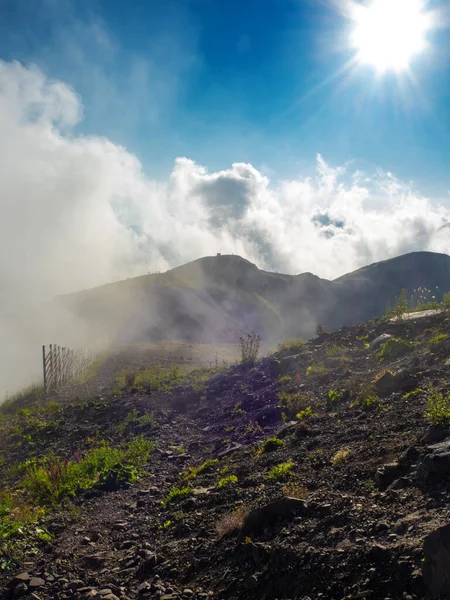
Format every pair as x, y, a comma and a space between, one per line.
61, 364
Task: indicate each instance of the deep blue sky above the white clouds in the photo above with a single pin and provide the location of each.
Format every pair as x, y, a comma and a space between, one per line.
223, 82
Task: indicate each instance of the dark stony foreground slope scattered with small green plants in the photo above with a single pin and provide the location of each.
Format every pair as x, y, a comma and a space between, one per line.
356, 507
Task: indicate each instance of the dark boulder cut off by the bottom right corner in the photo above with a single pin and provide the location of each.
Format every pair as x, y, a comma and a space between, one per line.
436, 568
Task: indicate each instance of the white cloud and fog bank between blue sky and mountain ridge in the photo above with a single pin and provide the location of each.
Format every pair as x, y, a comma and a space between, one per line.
78, 211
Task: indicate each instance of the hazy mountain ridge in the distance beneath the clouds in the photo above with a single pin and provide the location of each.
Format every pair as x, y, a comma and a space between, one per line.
214, 298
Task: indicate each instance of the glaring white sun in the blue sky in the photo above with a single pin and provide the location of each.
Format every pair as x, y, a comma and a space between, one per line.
389, 33
